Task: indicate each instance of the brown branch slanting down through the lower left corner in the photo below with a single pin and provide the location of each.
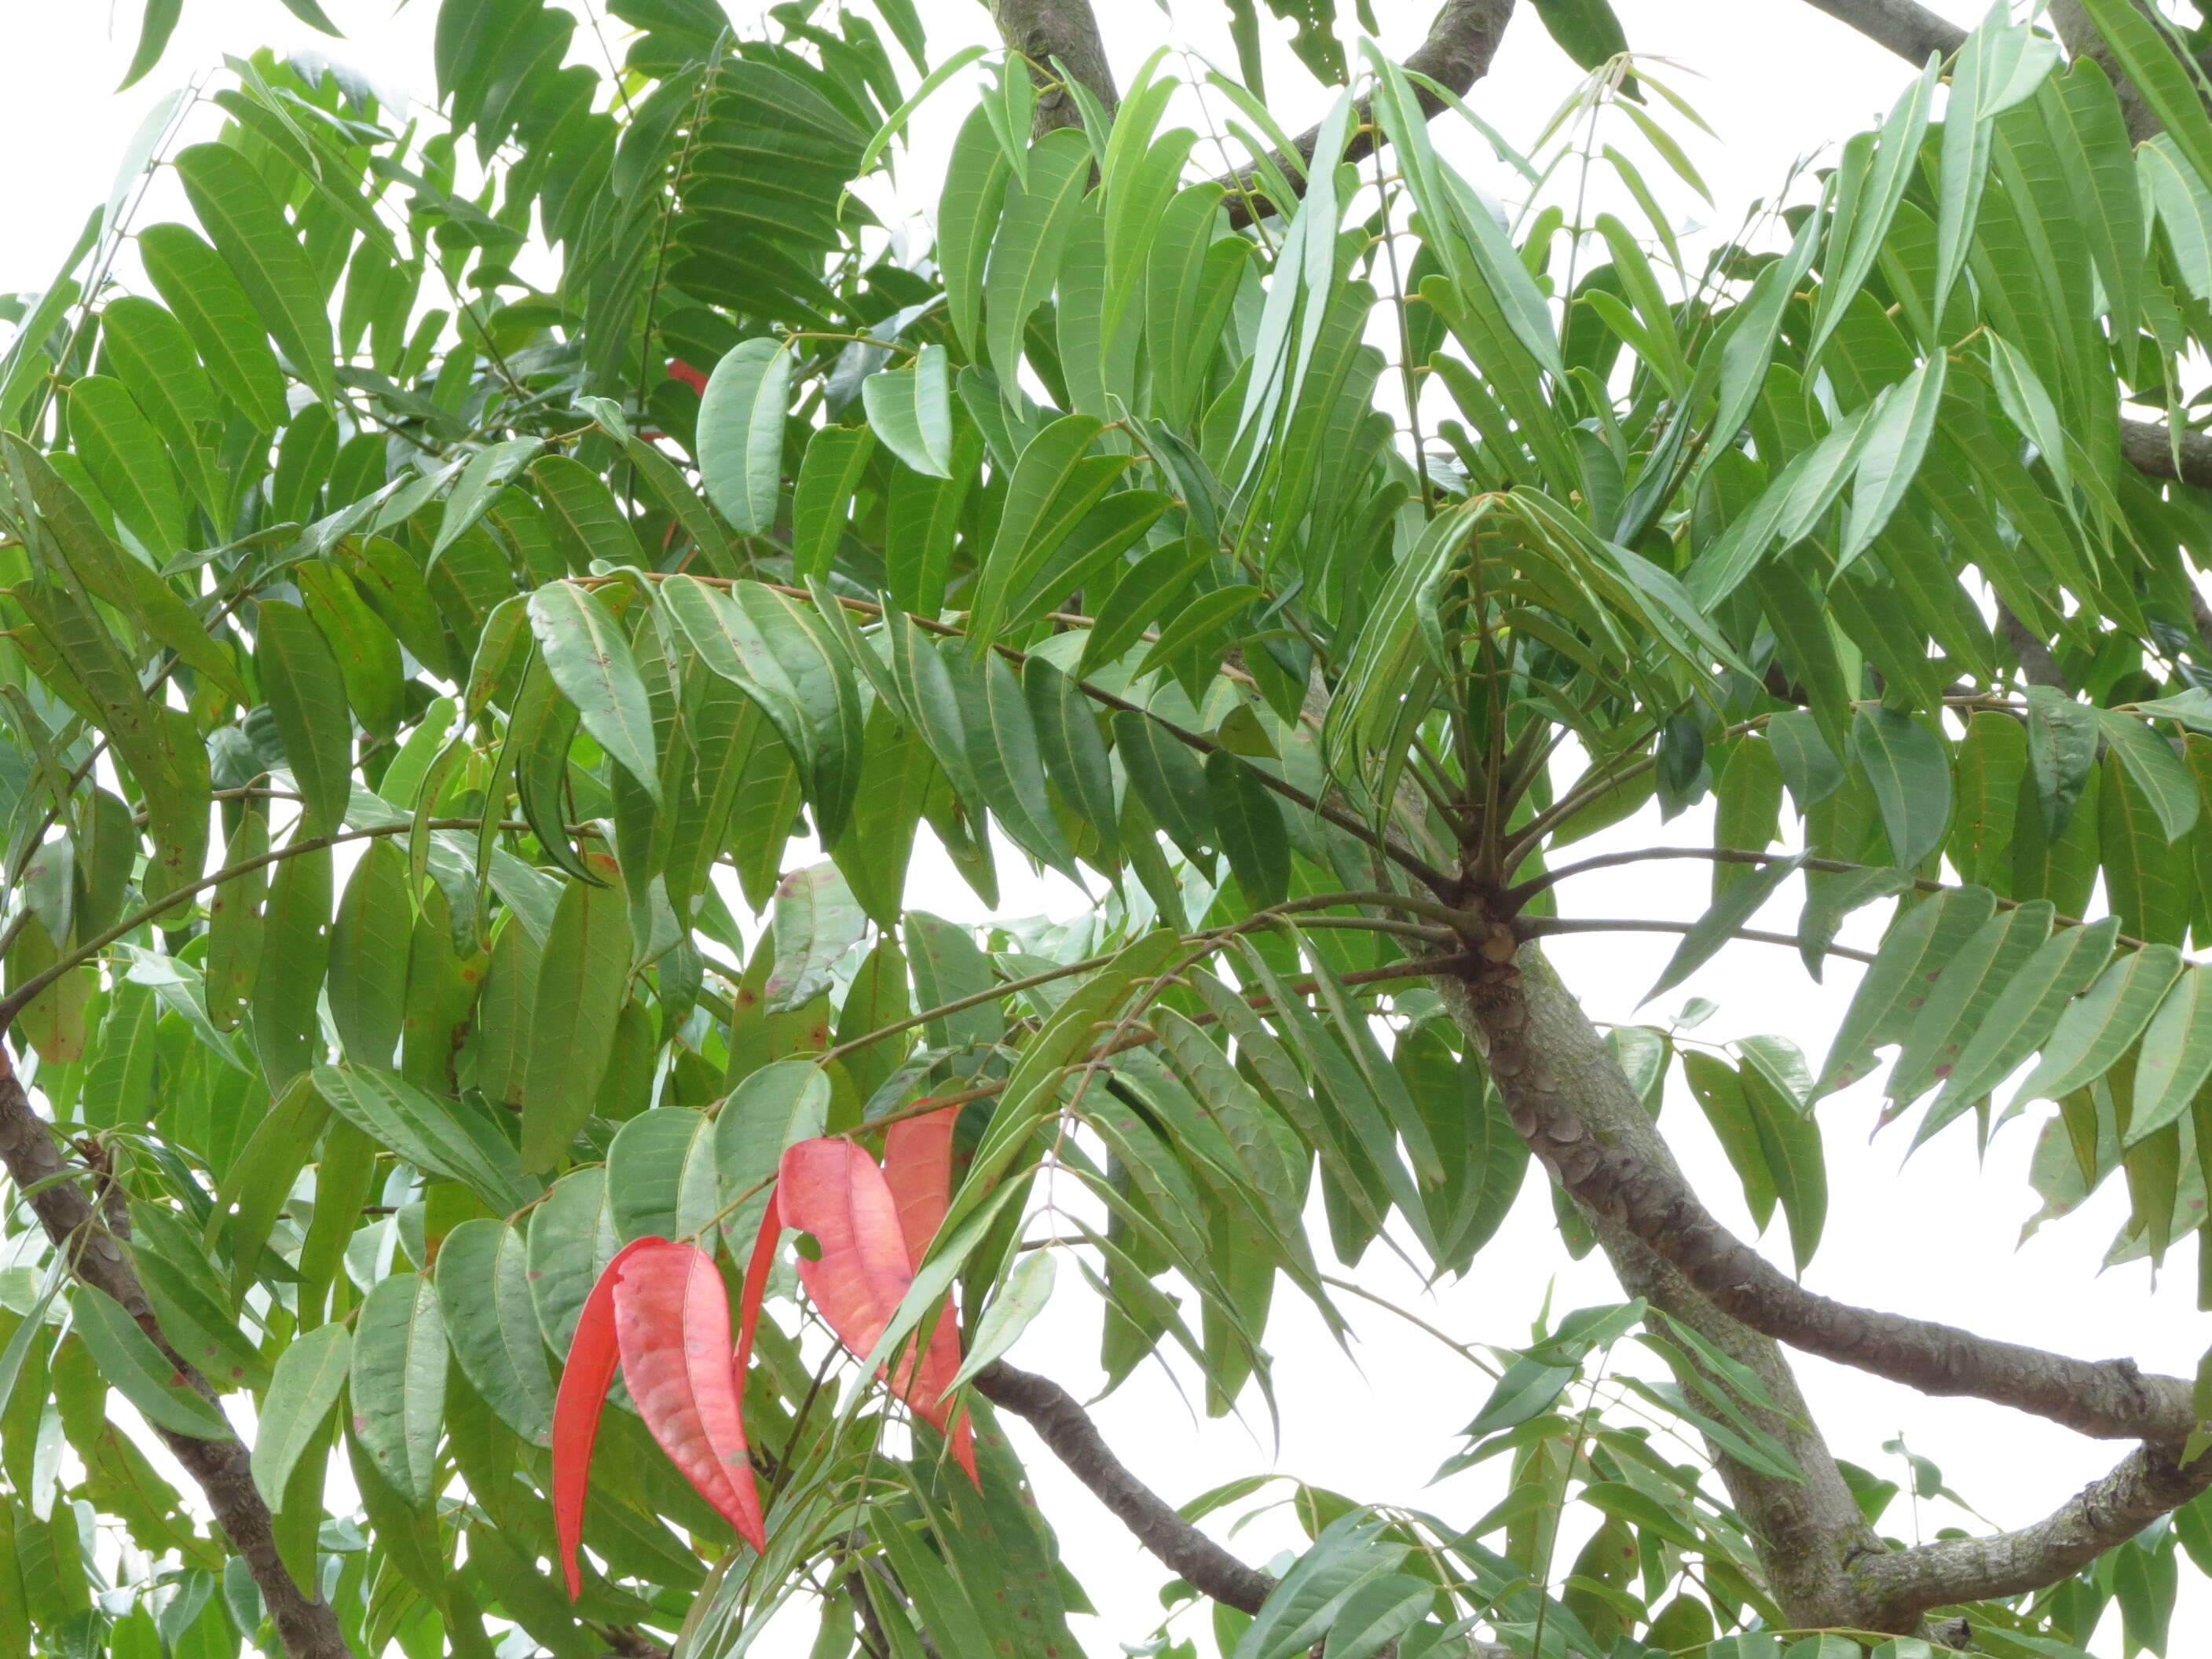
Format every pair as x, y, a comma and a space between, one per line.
96, 1249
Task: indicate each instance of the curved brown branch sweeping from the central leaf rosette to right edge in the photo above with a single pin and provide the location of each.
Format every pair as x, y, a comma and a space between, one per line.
1616, 1180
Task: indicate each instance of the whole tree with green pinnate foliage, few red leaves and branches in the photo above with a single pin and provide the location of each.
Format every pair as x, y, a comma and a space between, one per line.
479, 552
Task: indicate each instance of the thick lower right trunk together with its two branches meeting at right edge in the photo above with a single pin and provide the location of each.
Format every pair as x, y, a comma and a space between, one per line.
1576, 1109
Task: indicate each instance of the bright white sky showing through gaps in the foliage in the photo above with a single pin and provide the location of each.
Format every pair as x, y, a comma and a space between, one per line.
1932, 1238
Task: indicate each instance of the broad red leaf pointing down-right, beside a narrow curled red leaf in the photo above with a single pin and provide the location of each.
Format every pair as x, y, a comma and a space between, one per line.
674, 1328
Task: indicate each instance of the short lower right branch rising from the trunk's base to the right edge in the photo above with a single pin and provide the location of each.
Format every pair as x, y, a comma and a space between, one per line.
2105, 1514
